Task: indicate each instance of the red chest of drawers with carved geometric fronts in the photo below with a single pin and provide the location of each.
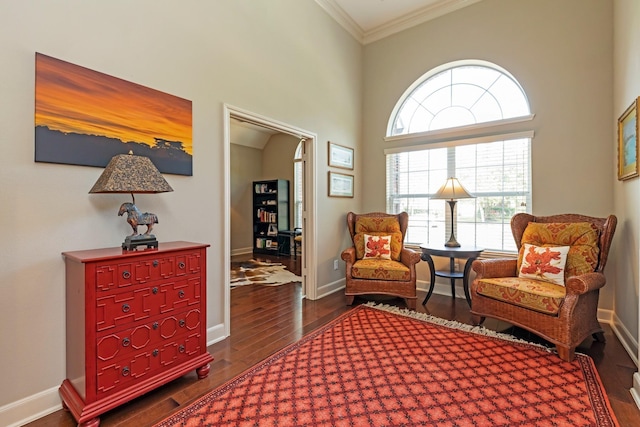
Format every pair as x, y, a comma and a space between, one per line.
135, 321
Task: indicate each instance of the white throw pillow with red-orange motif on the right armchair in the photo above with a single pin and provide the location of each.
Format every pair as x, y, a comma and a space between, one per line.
544, 263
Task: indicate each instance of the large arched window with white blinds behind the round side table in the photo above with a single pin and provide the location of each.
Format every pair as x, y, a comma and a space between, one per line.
438, 130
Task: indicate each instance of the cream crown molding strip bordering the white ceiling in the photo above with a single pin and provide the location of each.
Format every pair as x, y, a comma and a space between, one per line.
395, 26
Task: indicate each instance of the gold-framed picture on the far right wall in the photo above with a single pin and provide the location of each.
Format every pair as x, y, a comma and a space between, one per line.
628, 143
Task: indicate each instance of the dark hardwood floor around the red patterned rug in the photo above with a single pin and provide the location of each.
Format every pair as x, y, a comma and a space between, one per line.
266, 319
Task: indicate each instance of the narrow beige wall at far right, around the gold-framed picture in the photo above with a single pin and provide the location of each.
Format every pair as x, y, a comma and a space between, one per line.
626, 88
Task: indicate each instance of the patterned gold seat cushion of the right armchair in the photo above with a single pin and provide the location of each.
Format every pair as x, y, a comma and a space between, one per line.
538, 295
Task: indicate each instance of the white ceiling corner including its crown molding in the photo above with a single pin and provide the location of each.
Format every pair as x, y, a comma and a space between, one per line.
371, 20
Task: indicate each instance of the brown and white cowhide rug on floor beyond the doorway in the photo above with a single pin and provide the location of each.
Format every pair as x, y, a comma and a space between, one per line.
254, 272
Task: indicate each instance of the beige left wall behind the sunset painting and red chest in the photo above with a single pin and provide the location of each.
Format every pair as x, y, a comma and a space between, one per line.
283, 59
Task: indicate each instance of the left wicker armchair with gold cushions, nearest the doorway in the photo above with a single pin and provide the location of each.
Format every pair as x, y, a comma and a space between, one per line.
395, 276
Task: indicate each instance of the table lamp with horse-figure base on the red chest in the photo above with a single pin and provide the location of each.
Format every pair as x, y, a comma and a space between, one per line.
127, 173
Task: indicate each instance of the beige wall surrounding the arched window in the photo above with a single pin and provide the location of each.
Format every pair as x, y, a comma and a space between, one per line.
562, 55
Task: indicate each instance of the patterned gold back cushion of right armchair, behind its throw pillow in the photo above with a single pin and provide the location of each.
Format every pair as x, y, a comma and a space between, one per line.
582, 237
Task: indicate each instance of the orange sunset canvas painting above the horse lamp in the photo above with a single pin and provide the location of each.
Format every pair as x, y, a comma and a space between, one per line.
83, 117
